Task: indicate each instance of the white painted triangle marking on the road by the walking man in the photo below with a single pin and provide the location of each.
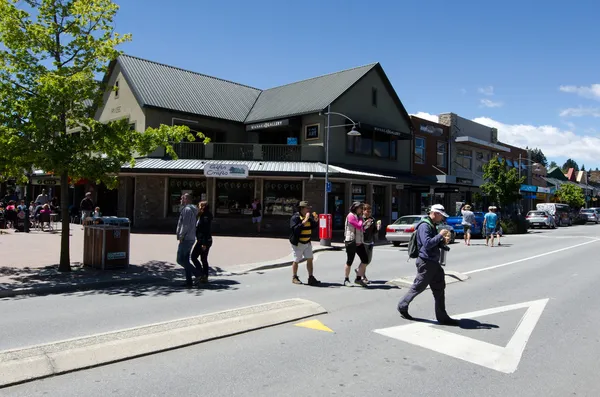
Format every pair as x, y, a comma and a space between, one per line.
502, 359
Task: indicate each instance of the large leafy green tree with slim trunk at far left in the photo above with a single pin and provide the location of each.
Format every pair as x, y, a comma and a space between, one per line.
50, 53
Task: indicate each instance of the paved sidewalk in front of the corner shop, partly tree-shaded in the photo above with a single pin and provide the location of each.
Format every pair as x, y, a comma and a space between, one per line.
28, 263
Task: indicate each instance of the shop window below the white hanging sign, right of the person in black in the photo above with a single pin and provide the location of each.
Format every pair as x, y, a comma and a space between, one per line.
234, 197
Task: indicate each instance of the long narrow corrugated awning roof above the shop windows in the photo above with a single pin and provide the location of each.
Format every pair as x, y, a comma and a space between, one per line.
253, 166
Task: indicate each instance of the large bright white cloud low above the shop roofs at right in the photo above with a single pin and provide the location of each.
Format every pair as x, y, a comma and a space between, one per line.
555, 142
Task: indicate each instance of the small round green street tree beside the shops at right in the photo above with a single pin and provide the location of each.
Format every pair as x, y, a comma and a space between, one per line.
502, 184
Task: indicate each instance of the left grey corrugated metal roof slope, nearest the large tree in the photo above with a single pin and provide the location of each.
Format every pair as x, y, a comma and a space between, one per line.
176, 89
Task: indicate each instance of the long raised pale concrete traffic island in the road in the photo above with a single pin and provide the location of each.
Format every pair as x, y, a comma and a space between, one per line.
42, 361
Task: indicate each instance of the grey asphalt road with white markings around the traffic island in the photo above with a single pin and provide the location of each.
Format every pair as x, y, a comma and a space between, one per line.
547, 346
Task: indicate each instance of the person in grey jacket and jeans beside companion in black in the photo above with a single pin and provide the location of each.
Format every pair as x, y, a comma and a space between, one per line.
186, 235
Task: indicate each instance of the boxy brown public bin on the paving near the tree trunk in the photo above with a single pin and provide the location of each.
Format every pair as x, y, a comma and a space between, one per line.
106, 243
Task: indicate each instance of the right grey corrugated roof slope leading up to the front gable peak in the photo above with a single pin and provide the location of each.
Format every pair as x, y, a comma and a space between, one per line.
305, 96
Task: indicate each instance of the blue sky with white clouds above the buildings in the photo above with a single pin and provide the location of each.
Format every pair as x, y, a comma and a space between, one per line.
529, 68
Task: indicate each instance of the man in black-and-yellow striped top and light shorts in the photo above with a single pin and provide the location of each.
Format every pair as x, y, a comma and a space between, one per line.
302, 225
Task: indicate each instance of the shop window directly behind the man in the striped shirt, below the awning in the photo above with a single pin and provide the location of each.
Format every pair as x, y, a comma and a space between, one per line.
282, 197
